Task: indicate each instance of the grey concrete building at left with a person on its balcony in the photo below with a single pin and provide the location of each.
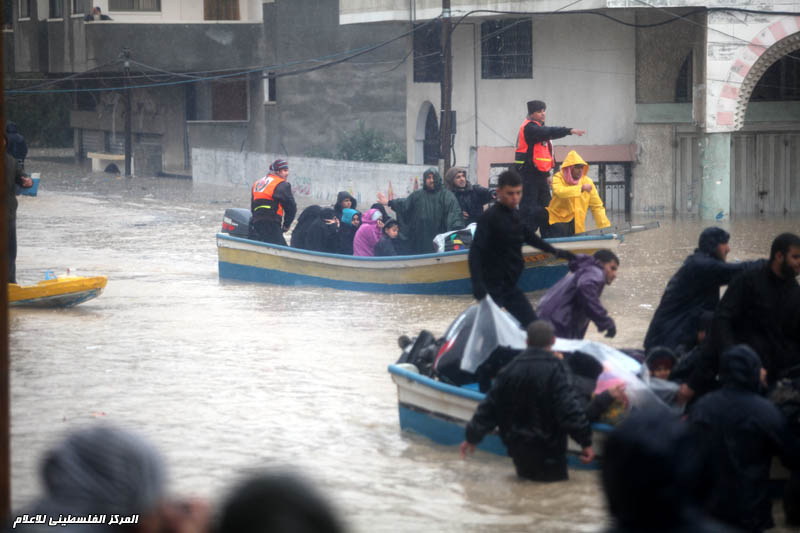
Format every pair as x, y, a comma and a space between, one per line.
213, 74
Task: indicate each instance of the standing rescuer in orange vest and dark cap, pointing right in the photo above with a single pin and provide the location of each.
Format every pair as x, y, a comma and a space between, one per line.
534, 159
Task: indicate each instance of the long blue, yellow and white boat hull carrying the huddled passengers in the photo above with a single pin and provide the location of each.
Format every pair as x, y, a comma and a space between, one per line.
436, 273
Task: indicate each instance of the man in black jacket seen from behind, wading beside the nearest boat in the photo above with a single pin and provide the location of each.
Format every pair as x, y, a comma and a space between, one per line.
534, 405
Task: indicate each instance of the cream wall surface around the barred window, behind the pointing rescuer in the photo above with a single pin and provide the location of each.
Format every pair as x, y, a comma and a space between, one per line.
576, 77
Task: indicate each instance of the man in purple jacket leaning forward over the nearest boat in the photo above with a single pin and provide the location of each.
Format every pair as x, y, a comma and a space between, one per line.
575, 300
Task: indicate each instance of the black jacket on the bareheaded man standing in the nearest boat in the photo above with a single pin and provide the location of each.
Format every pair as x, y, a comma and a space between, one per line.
495, 256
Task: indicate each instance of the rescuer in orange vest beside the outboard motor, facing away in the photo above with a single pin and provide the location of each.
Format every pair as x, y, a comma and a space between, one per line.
272, 205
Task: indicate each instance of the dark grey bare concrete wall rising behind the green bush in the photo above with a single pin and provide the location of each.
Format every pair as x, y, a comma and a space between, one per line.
314, 110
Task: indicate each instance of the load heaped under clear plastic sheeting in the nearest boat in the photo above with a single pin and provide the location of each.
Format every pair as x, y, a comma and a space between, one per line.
484, 338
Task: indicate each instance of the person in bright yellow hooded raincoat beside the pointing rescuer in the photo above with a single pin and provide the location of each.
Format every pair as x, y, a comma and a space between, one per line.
574, 194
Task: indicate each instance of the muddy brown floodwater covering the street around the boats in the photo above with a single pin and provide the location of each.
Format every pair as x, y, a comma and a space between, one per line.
226, 377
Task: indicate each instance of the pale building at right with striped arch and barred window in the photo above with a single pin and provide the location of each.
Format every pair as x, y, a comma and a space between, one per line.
692, 107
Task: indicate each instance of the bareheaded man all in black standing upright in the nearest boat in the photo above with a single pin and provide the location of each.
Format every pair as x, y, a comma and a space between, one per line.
495, 255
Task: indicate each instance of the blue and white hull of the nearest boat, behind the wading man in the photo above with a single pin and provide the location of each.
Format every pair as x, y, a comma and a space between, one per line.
440, 412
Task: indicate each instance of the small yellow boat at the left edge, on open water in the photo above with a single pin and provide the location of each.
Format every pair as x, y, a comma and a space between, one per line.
64, 291
